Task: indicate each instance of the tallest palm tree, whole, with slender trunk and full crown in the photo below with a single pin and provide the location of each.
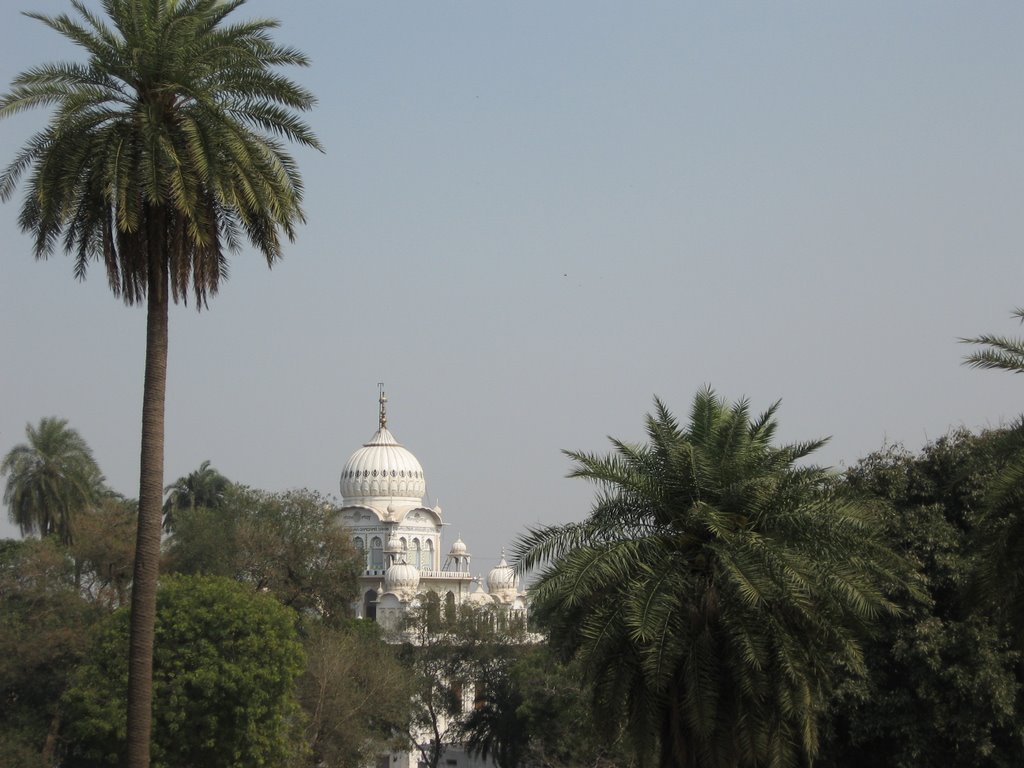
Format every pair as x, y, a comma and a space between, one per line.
164, 152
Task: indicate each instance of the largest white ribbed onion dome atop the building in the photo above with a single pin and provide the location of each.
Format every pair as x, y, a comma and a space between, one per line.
382, 470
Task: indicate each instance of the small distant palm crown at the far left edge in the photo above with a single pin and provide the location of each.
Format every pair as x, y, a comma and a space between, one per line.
51, 479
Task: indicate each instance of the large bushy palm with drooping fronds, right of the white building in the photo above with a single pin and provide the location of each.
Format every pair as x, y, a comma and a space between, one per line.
715, 590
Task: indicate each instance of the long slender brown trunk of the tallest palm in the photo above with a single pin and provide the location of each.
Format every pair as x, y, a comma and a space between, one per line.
144, 596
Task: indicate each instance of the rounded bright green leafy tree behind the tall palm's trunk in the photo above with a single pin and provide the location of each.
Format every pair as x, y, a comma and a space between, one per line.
225, 670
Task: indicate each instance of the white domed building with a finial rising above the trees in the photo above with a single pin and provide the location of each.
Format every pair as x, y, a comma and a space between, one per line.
382, 490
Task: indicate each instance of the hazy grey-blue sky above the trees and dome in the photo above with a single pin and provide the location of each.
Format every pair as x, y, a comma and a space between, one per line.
533, 218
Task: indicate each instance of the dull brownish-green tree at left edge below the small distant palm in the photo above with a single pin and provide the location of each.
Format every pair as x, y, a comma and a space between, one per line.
44, 631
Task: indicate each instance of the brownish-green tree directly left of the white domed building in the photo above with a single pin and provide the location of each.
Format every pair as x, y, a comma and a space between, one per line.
287, 544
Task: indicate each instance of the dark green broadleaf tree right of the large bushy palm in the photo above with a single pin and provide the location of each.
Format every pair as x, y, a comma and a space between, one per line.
944, 685
